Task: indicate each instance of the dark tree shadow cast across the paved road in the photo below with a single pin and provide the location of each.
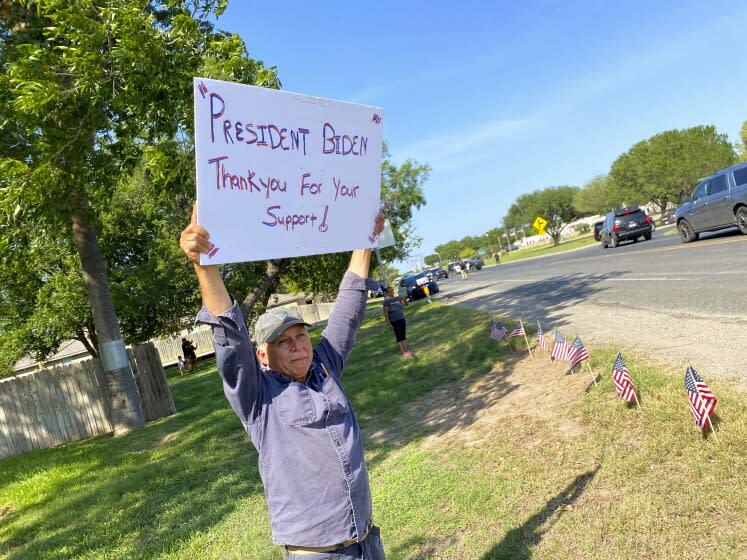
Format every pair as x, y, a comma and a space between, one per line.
535, 300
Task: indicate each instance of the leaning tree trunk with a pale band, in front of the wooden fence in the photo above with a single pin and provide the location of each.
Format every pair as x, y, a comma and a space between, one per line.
126, 413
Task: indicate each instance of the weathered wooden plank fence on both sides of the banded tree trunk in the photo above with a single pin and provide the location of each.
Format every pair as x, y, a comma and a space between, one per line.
67, 403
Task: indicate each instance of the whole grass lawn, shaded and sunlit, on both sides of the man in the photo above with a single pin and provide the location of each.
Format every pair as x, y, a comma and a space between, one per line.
630, 484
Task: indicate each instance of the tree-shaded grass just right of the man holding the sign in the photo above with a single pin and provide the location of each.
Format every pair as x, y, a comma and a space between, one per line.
385, 396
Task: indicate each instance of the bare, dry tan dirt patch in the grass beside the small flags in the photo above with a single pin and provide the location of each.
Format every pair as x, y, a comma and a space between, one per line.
472, 411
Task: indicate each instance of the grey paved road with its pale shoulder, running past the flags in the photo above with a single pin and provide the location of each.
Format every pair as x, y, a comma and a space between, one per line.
676, 302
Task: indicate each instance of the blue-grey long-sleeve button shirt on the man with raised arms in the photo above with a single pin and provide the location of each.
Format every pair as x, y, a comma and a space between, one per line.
309, 443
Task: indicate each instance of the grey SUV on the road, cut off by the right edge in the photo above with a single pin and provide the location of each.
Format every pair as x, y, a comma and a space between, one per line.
718, 202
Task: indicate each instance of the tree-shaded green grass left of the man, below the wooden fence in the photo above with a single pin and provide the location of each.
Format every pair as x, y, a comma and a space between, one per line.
137, 495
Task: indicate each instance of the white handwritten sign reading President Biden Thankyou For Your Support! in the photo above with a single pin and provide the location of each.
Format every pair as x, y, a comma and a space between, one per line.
281, 174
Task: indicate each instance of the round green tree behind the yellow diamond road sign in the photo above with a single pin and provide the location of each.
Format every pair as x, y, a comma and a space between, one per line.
554, 204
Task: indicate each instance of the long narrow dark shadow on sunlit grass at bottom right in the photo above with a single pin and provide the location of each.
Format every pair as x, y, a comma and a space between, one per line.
518, 543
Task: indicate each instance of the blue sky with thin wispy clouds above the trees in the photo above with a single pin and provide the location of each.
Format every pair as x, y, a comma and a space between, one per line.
503, 98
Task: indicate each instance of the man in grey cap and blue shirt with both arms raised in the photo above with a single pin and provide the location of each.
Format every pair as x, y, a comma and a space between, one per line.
289, 398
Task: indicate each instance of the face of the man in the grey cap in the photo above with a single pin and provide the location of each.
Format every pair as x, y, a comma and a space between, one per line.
290, 354
